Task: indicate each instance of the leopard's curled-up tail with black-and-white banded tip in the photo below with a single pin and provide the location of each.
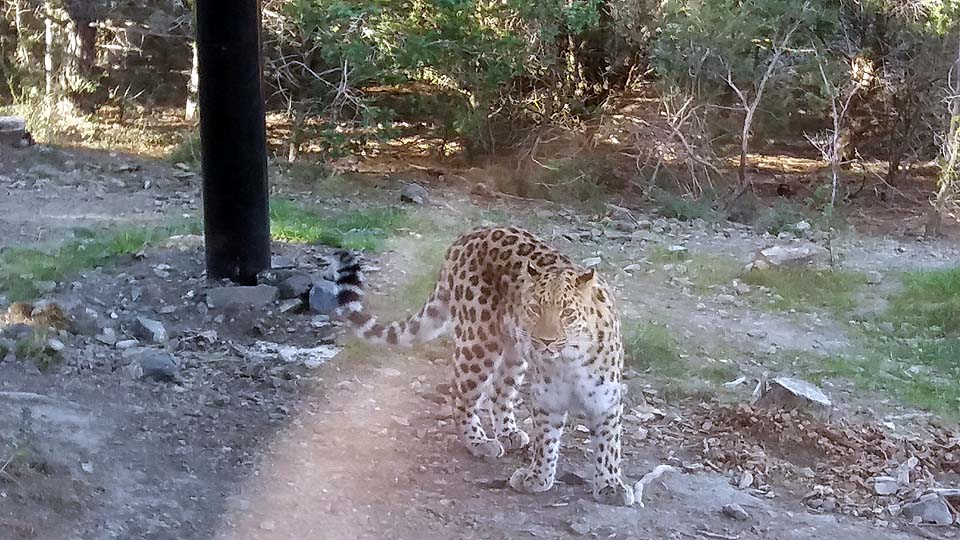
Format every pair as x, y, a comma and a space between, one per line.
429, 323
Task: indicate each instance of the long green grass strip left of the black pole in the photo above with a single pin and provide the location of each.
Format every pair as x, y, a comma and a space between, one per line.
22, 270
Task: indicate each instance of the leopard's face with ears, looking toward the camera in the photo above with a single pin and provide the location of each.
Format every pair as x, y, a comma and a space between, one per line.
555, 313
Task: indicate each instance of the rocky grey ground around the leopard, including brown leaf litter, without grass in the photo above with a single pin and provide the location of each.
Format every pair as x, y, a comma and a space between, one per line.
174, 407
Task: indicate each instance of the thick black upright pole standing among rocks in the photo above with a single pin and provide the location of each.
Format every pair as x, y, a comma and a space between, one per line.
233, 140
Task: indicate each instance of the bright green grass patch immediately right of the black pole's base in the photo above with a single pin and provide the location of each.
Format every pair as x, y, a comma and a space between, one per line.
359, 229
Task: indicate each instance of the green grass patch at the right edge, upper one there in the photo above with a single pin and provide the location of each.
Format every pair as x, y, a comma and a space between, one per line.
930, 301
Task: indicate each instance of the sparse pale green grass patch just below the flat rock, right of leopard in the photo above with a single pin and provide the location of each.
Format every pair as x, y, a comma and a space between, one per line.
805, 289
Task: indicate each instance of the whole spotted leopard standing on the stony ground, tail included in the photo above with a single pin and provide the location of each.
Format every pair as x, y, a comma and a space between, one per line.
517, 307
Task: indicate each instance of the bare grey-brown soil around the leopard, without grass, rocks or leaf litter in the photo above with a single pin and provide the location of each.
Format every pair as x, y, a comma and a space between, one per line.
241, 446
